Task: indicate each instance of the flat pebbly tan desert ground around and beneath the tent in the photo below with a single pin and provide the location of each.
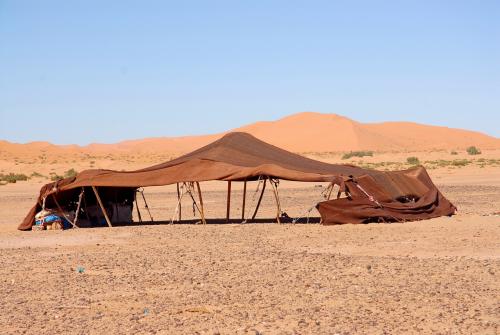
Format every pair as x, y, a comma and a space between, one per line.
438, 276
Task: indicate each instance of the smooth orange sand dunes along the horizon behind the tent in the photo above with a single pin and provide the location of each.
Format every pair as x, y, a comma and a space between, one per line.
302, 132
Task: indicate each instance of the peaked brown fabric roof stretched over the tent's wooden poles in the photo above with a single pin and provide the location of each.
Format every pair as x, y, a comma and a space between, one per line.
234, 157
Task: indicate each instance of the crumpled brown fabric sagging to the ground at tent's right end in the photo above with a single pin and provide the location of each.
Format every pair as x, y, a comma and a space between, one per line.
387, 197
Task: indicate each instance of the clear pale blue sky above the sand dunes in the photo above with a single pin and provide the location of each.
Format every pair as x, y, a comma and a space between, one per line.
105, 71
